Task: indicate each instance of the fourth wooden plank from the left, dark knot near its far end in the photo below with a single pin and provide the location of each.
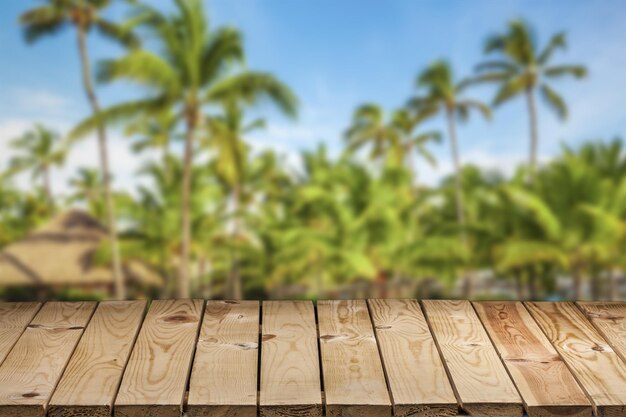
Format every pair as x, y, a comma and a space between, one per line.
155, 378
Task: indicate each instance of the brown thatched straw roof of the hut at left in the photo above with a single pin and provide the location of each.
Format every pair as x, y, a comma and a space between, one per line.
60, 254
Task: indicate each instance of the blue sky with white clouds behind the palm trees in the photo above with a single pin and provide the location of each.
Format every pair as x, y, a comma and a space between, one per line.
336, 55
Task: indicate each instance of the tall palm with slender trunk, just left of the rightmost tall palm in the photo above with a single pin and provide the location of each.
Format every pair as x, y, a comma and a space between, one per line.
442, 94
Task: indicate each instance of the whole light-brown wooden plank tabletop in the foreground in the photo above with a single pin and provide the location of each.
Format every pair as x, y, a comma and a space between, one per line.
341, 358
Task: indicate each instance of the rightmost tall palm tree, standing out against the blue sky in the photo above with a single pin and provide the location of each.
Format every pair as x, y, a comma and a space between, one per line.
524, 68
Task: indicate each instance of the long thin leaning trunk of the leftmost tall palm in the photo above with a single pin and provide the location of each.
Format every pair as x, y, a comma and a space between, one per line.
118, 278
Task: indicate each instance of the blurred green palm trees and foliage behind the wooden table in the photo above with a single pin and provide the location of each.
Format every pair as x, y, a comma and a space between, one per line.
217, 218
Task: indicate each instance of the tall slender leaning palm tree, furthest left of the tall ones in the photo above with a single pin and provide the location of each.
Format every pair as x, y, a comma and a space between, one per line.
85, 15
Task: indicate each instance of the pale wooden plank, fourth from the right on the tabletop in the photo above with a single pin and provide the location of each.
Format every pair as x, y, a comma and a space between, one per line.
478, 376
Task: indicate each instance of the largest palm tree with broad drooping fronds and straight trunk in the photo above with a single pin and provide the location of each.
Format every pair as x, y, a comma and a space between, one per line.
191, 71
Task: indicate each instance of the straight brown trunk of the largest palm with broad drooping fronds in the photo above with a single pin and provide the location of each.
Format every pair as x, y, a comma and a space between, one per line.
185, 210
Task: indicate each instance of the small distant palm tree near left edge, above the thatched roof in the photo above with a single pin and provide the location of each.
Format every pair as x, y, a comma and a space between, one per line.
39, 149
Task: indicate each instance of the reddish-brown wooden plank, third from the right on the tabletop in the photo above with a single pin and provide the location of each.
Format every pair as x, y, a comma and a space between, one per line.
547, 387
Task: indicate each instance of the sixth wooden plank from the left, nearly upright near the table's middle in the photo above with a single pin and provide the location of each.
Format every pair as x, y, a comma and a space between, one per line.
290, 375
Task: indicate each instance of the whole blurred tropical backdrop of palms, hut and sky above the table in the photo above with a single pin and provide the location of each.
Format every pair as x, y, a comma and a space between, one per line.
274, 149
